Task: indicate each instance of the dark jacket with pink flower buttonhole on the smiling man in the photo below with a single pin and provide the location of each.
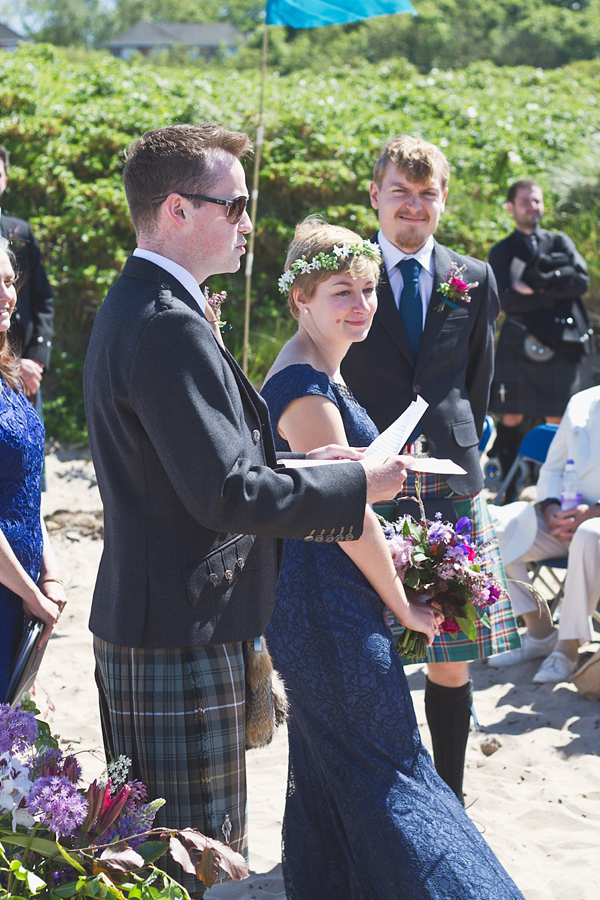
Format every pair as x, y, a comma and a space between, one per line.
453, 371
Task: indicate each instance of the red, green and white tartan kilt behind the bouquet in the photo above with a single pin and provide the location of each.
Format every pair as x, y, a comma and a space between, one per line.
503, 634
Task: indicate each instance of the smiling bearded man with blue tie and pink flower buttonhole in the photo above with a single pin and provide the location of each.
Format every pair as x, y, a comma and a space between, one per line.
444, 353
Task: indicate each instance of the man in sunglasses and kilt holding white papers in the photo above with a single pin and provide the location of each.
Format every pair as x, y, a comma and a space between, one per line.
194, 498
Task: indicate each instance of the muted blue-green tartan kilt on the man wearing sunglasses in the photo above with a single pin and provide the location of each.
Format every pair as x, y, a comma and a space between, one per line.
179, 714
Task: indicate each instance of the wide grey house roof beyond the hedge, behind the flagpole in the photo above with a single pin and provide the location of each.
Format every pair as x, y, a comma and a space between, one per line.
195, 34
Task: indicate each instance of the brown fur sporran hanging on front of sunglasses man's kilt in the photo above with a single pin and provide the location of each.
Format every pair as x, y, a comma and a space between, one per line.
266, 700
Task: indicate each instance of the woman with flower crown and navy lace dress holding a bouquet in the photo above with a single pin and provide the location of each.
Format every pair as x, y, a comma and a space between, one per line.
367, 817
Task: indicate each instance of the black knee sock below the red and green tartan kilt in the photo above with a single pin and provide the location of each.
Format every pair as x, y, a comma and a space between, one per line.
448, 712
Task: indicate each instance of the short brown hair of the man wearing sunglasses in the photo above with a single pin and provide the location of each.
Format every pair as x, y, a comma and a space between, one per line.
175, 158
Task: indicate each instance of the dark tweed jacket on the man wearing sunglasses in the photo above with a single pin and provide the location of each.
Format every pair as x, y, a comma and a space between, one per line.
193, 500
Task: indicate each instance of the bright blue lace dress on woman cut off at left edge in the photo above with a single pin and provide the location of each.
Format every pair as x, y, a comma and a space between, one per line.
21, 460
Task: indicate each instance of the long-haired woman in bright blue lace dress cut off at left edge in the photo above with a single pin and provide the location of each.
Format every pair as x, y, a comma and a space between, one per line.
30, 584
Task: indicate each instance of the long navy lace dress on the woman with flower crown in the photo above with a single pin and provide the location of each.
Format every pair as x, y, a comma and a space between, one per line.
367, 817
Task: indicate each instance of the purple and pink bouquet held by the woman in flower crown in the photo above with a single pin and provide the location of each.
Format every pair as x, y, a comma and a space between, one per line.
438, 564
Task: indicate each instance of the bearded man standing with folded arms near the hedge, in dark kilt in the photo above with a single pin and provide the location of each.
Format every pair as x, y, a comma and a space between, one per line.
539, 360
